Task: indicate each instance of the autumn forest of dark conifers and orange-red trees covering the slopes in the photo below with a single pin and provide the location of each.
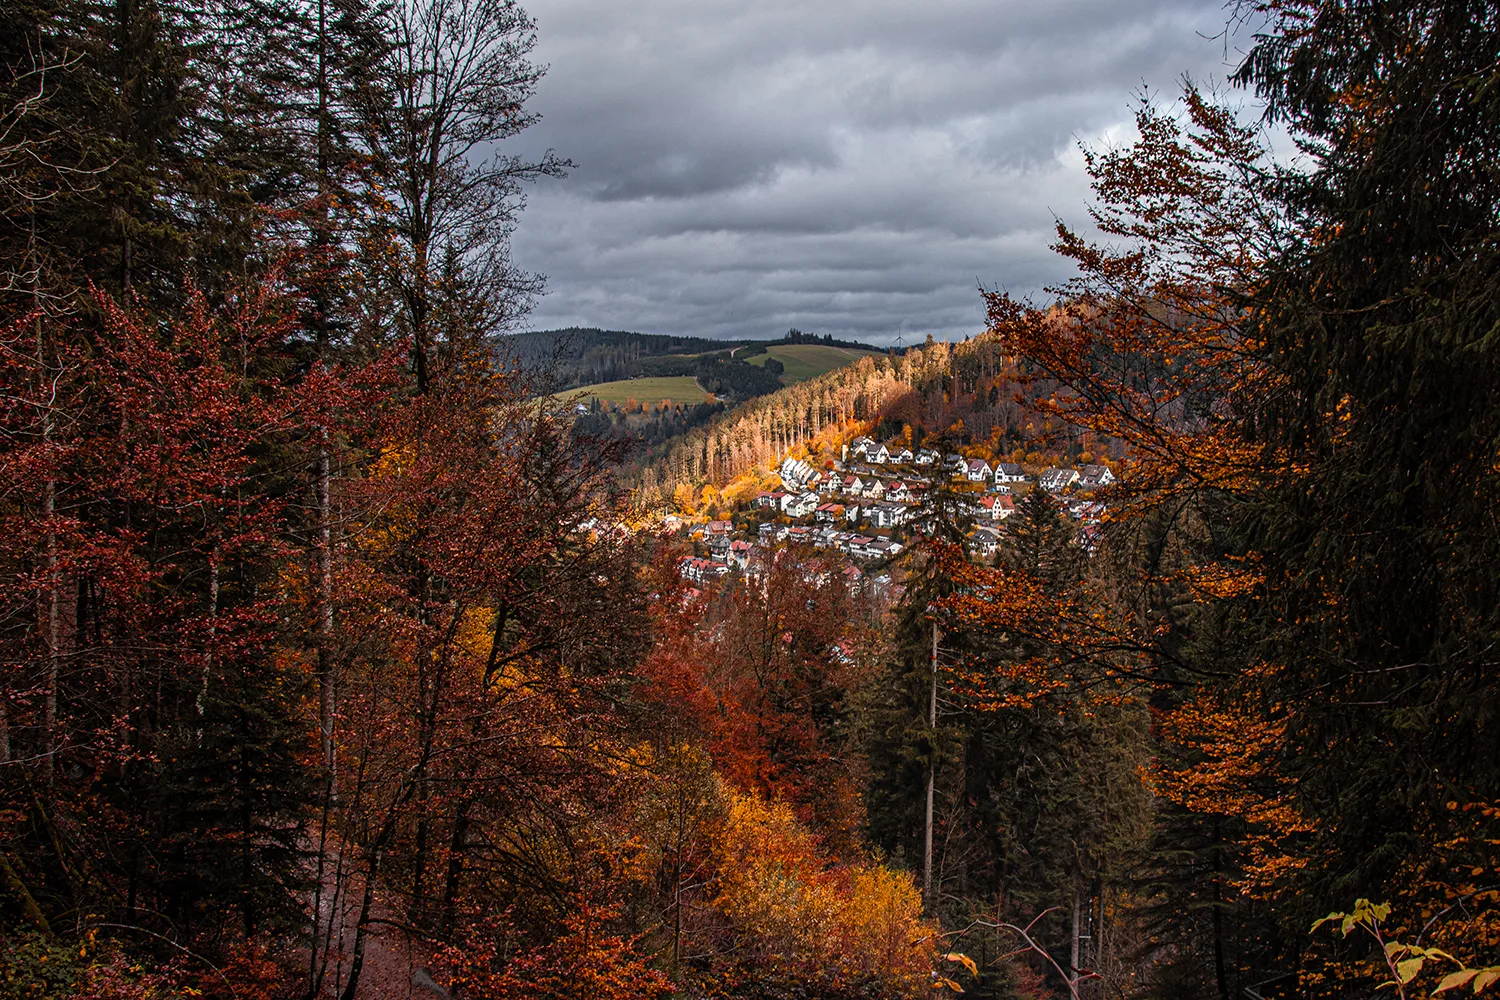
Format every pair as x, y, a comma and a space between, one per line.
347, 656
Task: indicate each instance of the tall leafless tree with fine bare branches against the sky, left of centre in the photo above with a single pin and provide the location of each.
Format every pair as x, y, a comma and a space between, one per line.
460, 79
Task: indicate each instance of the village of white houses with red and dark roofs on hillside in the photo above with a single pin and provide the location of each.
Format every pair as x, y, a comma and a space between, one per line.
871, 501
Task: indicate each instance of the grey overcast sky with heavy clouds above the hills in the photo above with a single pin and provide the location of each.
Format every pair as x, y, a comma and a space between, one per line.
848, 169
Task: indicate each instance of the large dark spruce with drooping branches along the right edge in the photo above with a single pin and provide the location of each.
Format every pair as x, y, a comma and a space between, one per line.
1384, 552
